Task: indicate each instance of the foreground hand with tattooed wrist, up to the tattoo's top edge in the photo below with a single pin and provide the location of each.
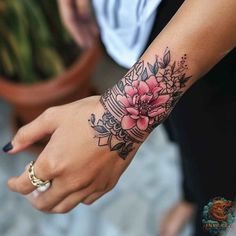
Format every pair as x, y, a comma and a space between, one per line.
93, 140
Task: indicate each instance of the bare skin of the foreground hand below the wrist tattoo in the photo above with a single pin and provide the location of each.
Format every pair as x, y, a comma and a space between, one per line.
80, 170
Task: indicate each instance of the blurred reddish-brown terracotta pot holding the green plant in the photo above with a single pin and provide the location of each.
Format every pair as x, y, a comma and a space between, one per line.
28, 101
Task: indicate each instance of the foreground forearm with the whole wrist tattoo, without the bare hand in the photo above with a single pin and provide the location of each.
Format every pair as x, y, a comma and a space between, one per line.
186, 49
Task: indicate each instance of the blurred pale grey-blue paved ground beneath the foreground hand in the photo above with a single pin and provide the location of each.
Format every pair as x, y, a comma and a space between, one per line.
148, 188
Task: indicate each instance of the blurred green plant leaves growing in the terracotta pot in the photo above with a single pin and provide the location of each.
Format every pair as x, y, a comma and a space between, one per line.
34, 45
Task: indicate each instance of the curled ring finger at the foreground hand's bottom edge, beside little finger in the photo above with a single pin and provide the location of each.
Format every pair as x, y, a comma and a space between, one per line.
72, 201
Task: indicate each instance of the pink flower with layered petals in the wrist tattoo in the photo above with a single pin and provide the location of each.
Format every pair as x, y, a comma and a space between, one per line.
142, 103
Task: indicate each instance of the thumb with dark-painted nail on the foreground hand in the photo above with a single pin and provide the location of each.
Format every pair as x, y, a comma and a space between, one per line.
42, 126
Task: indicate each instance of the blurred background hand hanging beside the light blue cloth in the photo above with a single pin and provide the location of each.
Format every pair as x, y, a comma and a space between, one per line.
77, 17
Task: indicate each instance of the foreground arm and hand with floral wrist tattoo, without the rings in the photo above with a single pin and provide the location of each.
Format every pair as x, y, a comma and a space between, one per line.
89, 136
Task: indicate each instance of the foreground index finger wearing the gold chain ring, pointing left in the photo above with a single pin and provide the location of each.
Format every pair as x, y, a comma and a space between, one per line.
42, 170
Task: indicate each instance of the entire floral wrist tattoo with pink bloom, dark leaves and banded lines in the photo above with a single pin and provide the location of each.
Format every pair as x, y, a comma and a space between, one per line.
139, 102
